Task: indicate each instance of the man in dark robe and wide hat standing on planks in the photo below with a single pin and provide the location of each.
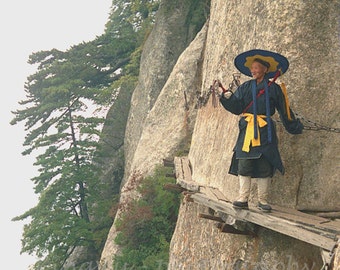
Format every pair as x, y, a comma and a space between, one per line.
256, 153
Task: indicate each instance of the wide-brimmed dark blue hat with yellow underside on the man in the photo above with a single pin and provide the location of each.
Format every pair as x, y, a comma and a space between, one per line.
276, 62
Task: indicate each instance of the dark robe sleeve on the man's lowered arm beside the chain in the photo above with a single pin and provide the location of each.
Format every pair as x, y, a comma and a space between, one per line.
293, 126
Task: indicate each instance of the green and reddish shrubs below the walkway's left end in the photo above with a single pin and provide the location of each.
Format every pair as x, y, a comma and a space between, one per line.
146, 226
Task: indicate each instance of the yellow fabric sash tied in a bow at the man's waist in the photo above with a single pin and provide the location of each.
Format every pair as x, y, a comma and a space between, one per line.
249, 137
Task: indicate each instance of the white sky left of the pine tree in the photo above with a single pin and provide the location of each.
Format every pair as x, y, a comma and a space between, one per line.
28, 26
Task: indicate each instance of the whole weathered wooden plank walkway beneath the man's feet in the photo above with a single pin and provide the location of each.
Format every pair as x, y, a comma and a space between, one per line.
318, 231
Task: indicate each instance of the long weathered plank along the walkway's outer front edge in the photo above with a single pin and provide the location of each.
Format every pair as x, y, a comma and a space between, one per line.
289, 228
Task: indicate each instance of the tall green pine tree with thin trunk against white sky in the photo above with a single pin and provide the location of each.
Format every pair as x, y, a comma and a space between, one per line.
66, 137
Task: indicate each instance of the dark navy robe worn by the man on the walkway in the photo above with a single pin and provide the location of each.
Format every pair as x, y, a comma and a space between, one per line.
238, 102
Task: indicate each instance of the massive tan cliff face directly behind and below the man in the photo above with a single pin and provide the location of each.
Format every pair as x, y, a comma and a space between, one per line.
307, 33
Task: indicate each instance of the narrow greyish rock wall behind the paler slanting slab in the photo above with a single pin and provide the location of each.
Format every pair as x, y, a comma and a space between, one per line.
170, 36
